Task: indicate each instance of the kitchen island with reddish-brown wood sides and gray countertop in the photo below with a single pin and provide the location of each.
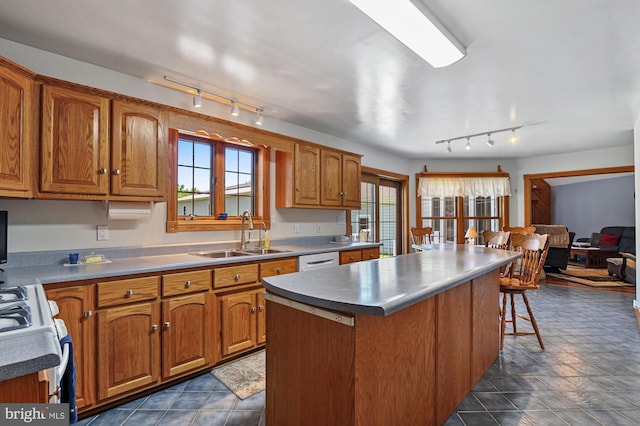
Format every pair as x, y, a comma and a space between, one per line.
397, 339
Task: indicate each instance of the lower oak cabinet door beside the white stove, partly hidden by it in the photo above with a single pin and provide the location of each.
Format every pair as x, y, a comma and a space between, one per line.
76, 309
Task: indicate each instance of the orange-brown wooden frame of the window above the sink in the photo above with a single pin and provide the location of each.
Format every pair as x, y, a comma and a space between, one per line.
176, 223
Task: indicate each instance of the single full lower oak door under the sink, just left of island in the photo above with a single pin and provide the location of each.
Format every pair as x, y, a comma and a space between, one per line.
238, 325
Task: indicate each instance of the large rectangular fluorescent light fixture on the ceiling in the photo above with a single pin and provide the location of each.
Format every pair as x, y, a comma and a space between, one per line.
410, 22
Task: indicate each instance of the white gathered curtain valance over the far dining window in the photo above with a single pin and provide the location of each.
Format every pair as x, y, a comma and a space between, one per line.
464, 187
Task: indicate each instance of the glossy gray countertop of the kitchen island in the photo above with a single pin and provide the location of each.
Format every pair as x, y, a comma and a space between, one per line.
384, 286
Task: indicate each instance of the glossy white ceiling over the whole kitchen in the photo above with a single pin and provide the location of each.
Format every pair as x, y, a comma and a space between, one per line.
568, 70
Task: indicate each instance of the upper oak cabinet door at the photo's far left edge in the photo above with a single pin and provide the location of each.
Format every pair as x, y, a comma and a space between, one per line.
16, 132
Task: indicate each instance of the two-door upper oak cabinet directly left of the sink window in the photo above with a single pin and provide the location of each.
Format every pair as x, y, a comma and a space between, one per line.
84, 155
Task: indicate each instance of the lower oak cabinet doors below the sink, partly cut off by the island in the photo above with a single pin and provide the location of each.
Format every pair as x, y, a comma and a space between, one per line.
242, 321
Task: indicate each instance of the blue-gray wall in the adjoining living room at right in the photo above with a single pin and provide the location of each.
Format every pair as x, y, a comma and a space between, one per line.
588, 206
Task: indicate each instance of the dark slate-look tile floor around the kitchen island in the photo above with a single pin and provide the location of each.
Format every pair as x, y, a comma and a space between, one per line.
589, 374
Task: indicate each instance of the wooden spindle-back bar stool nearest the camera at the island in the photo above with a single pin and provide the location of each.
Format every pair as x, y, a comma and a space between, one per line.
523, 276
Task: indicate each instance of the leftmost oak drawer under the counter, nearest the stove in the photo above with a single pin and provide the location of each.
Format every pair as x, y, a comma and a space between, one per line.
127, 291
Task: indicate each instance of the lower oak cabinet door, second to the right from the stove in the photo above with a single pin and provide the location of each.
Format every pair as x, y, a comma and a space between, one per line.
128, 348
